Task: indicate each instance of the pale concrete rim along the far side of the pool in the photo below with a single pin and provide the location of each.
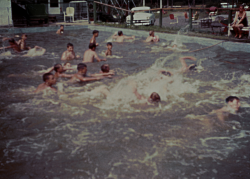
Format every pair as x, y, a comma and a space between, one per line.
228, 45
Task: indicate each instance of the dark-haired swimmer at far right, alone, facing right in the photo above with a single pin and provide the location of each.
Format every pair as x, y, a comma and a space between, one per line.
233, 105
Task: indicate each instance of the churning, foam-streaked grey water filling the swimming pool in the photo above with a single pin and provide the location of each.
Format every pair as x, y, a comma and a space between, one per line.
84, 135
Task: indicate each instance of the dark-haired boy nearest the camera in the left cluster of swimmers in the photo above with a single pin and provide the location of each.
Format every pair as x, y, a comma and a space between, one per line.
49, 80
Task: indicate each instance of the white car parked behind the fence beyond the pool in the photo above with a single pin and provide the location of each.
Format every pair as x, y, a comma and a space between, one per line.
145, 17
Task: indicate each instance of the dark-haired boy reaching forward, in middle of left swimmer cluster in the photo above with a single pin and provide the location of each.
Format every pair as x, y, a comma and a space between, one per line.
81, 74
